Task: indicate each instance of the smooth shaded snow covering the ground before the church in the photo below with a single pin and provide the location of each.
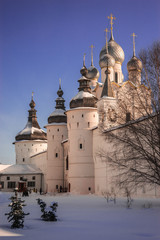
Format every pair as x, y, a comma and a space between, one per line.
86, 217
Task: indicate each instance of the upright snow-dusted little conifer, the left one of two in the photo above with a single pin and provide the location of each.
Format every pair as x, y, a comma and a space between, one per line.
16, 215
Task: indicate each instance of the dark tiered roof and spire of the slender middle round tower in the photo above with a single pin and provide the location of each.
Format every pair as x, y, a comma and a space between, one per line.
58, 116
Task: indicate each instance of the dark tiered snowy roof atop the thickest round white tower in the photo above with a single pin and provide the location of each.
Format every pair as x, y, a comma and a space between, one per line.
84, 98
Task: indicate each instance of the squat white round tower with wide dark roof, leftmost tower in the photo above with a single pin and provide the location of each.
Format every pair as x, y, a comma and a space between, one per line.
31, 140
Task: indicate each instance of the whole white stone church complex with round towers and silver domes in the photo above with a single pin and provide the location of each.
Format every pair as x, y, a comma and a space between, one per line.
65, 158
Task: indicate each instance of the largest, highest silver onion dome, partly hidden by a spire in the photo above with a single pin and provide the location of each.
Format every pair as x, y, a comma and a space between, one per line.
115, 50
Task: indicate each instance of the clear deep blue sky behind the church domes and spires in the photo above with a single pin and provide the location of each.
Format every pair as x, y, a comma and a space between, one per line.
44, 40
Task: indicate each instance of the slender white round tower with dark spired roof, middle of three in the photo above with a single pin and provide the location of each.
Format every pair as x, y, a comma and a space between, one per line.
56, 133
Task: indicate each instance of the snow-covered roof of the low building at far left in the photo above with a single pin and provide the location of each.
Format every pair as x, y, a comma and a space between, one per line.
21, 169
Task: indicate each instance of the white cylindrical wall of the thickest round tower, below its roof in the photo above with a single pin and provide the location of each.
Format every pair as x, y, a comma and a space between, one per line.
81, 165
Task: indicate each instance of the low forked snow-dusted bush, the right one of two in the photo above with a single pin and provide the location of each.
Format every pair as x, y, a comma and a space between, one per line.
50, 213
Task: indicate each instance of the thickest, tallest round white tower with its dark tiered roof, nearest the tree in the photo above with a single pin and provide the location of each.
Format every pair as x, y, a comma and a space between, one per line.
81, 118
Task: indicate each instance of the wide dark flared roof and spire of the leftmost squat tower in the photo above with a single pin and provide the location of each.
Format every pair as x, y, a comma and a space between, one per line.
32, 130
